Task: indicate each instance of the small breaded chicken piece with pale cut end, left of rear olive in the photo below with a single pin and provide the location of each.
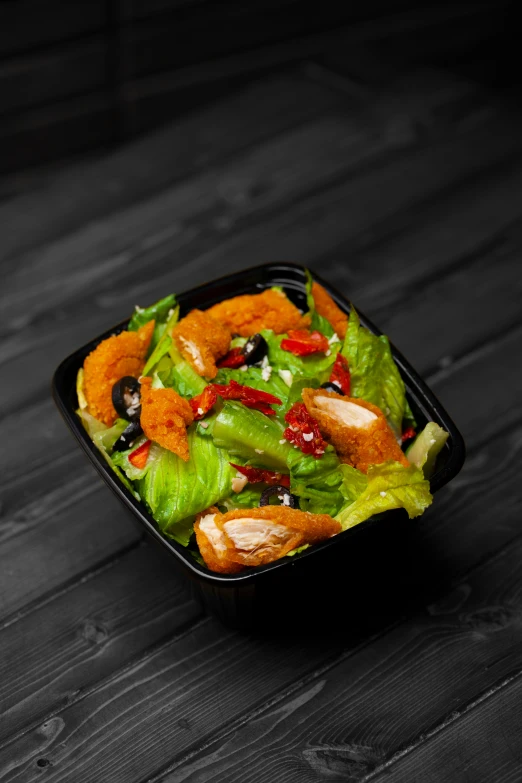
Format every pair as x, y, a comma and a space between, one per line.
202, 339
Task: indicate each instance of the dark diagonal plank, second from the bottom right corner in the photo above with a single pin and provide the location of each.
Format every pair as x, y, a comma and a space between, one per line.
345, 723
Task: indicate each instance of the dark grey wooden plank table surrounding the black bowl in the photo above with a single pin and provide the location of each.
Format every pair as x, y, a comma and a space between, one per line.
405, 193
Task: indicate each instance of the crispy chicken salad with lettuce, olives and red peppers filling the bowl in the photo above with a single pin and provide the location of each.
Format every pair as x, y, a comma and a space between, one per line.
252, 430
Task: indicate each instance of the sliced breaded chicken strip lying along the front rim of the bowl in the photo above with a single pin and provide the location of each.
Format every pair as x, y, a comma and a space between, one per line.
256, 536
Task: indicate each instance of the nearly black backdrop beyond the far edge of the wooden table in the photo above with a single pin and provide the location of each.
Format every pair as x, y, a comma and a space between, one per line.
83, 75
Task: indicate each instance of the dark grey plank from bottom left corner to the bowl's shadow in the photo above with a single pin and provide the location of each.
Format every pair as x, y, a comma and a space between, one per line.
176, 696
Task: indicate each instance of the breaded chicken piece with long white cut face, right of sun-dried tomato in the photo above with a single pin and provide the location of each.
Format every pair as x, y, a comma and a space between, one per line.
357, 429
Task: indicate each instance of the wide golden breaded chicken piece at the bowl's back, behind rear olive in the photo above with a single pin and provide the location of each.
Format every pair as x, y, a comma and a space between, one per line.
248, 314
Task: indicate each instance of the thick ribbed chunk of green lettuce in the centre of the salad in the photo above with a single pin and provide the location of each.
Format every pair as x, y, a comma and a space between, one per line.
251, 435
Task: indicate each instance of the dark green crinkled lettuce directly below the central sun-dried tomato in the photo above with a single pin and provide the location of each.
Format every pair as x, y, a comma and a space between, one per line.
316, 482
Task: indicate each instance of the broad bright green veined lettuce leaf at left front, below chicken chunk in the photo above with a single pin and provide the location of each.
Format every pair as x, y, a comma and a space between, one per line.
175, 490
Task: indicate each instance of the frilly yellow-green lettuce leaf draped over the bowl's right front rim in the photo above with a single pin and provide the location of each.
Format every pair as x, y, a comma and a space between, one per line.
386, 486
